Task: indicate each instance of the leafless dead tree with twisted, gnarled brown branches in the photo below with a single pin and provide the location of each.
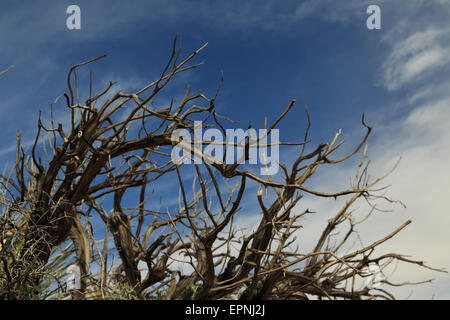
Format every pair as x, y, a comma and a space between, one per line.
74, 173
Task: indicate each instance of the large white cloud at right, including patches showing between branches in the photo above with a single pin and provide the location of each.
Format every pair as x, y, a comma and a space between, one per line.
422, 182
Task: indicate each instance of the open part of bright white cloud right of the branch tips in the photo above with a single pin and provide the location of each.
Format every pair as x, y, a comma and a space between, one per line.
422, 182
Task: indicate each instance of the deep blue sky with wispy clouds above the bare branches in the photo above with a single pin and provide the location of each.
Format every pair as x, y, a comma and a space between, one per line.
317, 51
